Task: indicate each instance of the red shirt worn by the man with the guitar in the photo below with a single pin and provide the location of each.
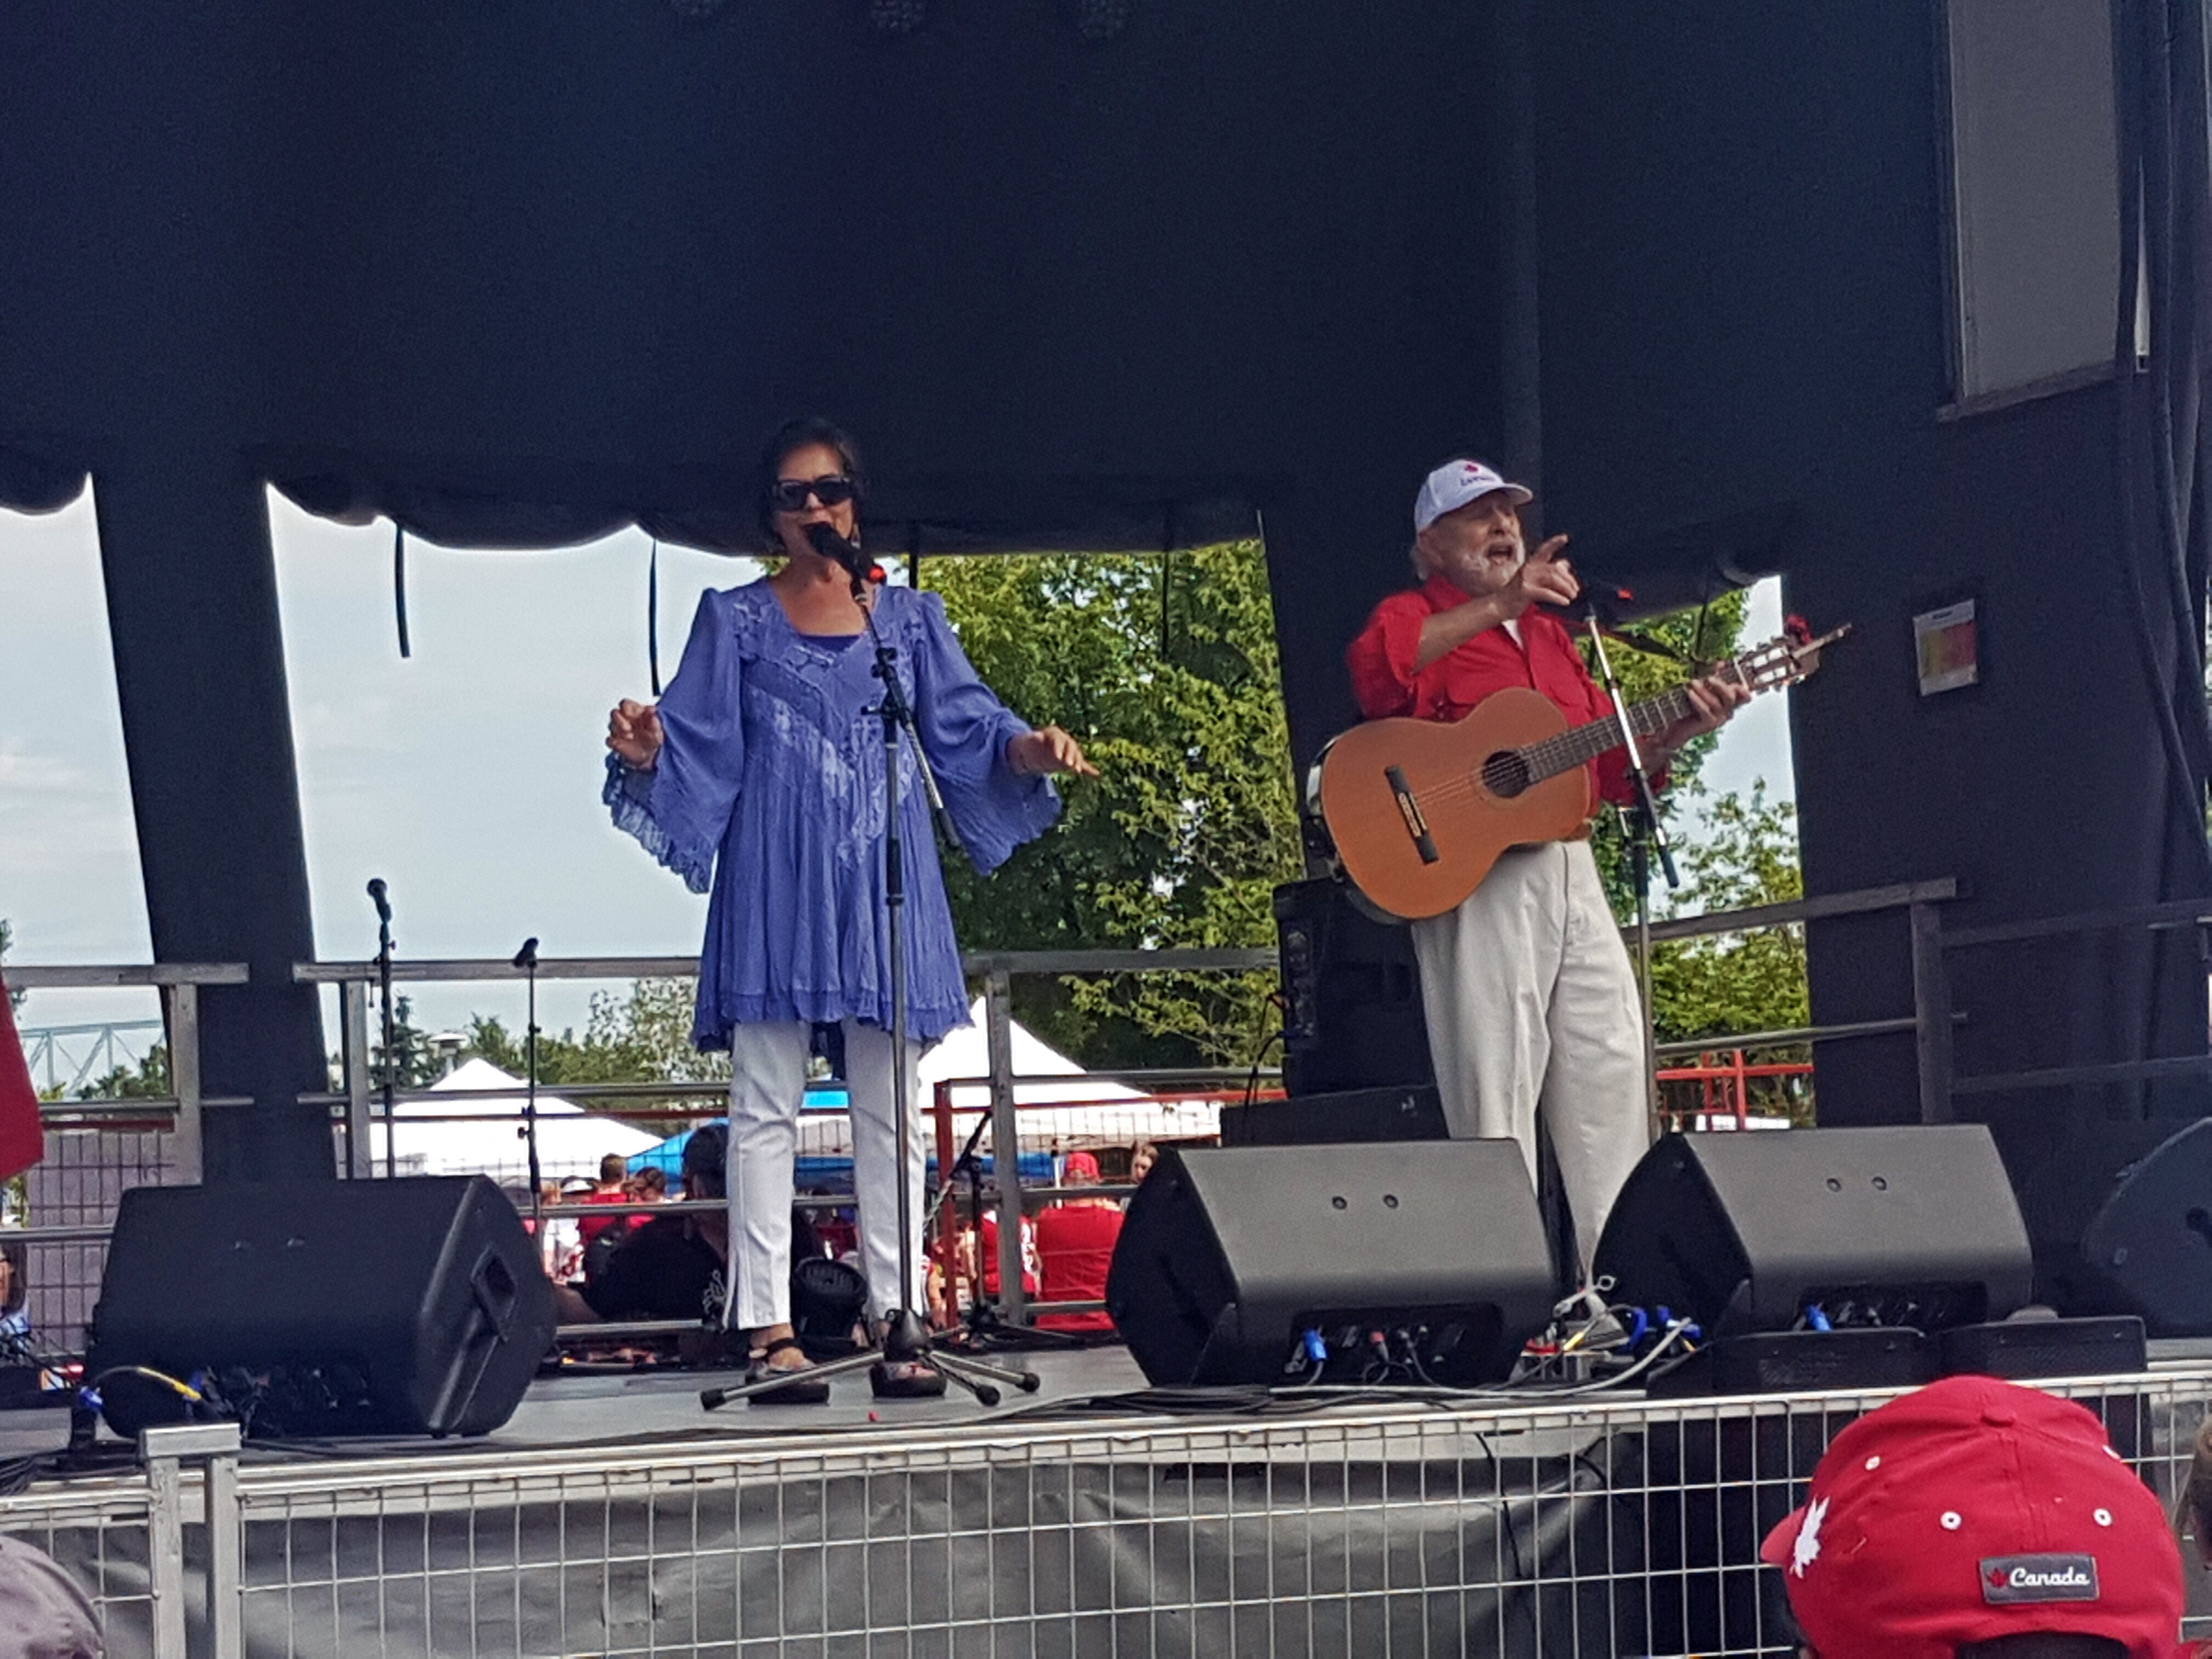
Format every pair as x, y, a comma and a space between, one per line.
1386, 680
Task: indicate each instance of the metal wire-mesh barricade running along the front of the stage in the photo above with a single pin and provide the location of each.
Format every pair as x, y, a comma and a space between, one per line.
1578, 1527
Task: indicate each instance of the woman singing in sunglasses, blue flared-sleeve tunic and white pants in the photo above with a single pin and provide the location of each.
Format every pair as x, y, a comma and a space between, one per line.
760, 780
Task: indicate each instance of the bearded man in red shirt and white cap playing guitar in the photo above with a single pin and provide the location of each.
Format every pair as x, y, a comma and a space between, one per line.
1527, 988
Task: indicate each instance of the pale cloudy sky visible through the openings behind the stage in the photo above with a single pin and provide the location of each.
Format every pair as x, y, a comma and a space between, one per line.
468, 775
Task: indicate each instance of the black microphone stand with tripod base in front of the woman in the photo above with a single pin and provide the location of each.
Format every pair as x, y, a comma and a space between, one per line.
906, 1333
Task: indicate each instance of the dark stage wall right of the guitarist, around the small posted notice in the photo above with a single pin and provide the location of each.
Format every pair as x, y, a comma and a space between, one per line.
1744, 302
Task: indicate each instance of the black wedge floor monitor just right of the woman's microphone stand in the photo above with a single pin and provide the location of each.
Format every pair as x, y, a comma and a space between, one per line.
1231, 1255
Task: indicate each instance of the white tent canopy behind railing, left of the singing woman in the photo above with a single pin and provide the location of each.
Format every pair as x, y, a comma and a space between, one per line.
490, 1136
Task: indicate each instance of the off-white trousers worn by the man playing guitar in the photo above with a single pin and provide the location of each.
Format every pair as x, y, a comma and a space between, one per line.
1532, 1005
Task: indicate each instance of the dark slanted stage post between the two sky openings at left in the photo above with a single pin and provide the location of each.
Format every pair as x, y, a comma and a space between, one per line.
200, 674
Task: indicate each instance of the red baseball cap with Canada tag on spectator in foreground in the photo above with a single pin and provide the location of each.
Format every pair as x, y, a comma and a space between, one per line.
1976, 1510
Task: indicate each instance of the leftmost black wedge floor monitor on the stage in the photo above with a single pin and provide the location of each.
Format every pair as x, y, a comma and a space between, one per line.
324, 1308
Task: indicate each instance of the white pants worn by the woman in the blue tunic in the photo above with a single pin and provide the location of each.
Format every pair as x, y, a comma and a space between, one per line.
769, 1081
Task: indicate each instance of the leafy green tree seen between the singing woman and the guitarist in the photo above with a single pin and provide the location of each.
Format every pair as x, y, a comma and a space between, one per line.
1165, 667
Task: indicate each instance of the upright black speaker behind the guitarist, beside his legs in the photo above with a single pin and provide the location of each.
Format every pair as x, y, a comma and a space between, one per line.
1350, 994
